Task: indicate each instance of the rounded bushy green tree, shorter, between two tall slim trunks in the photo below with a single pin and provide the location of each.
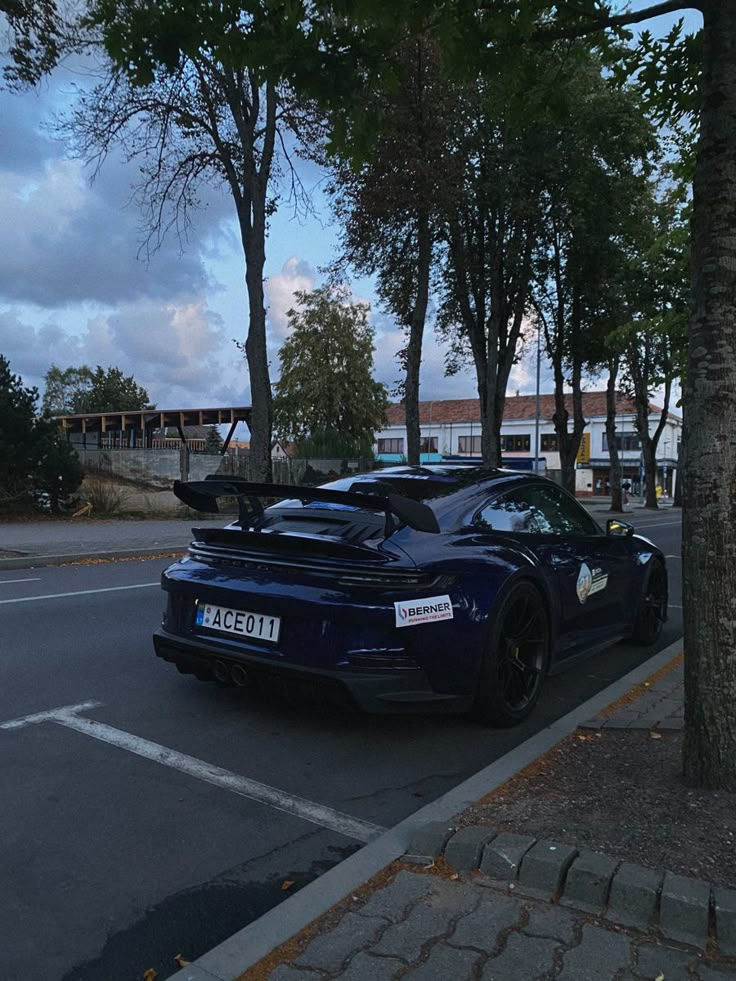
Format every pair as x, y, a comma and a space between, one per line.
326, 382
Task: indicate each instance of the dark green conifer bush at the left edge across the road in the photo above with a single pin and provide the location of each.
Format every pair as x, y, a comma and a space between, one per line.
34, 457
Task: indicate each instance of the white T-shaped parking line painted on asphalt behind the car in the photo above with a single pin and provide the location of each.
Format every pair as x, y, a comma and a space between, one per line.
325, 817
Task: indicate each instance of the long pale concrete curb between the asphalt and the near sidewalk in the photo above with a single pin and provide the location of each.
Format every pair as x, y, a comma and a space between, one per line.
248, 946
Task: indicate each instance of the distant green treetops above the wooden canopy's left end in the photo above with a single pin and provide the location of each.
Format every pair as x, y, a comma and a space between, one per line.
73, 391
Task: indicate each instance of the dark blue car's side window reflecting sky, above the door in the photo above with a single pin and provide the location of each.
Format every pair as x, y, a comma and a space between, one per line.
536, 510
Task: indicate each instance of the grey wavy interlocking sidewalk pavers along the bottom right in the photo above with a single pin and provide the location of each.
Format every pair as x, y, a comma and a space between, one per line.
427, 928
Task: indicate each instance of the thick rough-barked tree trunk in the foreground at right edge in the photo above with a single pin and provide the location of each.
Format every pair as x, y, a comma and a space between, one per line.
709, 532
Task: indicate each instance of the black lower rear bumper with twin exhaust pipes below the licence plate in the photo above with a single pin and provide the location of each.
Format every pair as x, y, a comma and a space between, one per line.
405, 689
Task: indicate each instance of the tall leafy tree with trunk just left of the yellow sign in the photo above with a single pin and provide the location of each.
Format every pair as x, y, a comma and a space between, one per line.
598, 152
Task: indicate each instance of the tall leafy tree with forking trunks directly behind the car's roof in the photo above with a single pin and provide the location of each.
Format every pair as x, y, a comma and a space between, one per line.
492, 229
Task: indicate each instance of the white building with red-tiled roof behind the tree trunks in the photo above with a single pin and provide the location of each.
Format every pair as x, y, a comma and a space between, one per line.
451, 428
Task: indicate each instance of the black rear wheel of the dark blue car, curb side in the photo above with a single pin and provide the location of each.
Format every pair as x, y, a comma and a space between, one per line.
515, 659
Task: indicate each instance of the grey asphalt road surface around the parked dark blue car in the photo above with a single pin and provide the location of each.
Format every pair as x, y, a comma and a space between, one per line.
116, 855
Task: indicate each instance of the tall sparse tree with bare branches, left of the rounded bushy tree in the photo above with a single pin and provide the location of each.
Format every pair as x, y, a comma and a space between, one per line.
203, 120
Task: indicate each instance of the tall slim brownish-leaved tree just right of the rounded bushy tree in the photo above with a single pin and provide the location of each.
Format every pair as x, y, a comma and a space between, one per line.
390, 205
